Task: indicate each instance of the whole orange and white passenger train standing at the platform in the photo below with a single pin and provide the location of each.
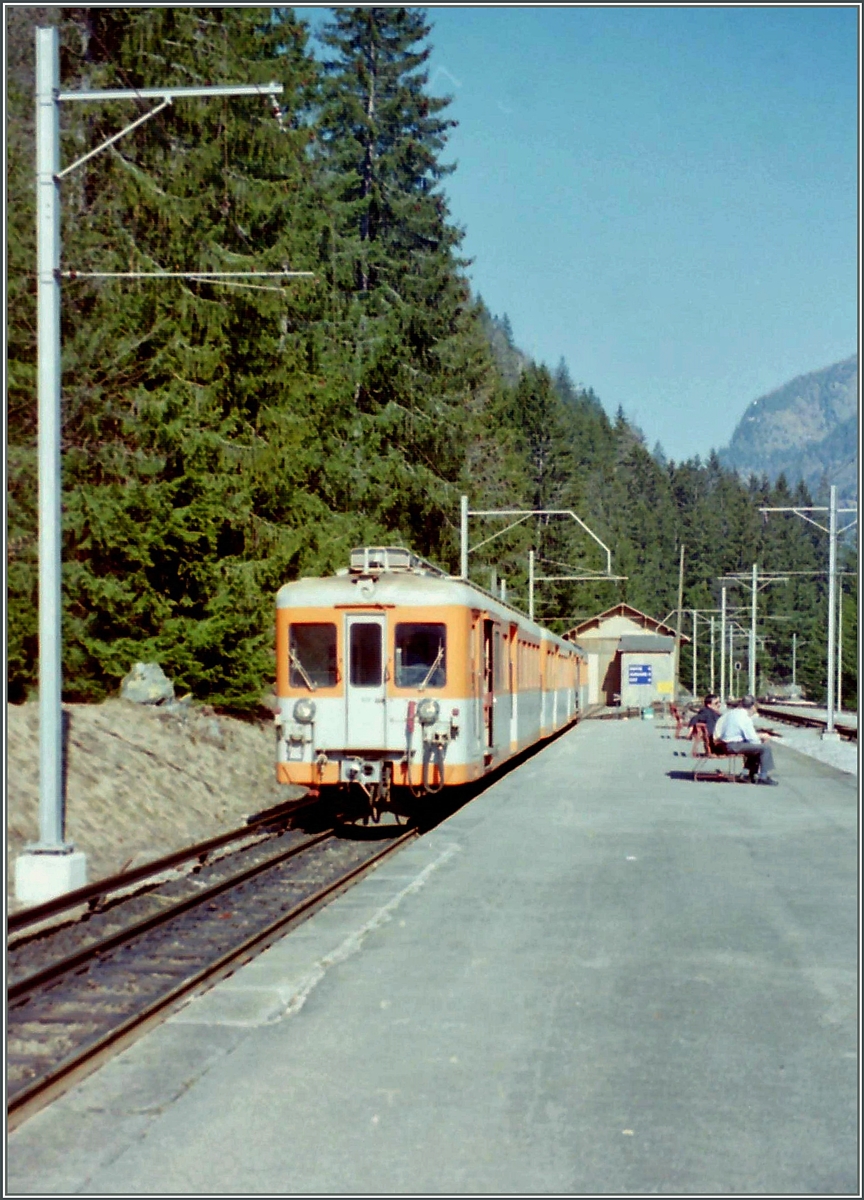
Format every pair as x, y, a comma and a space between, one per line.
393, 675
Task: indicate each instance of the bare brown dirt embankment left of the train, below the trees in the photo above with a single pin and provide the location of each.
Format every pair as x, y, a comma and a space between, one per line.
142, 781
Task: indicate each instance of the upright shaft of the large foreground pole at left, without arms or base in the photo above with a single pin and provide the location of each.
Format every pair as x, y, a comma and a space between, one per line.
50, 513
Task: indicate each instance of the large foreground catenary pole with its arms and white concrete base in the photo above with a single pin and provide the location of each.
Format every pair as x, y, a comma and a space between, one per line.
52, 867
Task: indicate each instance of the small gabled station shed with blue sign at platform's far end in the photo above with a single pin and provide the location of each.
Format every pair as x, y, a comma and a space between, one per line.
631, 657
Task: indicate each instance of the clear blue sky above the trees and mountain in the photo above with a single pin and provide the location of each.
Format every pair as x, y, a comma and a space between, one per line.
667, 197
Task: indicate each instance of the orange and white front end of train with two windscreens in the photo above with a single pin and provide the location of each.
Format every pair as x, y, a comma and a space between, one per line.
373, 680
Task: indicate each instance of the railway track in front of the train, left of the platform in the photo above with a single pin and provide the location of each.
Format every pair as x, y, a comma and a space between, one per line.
80, 993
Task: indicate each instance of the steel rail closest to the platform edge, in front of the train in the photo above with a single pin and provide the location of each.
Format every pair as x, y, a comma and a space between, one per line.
82, 1063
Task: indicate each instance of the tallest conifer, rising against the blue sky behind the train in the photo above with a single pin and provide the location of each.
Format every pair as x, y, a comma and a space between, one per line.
403, 317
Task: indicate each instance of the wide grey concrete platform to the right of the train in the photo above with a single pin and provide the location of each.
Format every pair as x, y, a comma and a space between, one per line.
599, 977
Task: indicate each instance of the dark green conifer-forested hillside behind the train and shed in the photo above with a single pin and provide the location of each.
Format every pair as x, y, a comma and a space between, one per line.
220, 441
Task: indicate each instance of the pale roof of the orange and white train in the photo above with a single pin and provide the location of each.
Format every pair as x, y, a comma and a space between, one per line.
401, 579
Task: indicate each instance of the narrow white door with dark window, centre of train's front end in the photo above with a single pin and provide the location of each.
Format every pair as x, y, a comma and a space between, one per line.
365, 692
